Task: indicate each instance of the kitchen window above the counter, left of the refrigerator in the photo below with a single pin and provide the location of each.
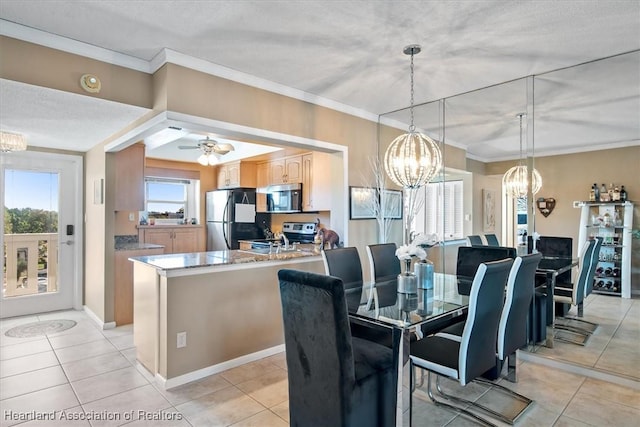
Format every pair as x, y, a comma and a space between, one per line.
172, 200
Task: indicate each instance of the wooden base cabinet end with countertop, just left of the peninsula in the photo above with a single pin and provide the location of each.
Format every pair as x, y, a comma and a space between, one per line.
123, 286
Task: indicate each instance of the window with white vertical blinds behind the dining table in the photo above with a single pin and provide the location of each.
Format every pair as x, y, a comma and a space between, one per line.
440, 210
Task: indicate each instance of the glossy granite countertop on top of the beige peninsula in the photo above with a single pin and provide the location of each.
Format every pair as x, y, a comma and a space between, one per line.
215, 258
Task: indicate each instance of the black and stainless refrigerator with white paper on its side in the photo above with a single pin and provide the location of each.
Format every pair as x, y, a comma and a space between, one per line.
226, 224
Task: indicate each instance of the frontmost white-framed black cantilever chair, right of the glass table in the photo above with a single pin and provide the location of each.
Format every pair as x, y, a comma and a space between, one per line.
474, 352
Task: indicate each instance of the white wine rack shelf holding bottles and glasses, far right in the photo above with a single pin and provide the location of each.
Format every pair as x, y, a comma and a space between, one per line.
612, 221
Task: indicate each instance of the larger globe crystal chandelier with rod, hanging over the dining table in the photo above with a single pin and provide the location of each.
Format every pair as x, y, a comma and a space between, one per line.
412, 159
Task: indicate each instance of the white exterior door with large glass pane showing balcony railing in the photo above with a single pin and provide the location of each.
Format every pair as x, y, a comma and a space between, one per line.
42, 237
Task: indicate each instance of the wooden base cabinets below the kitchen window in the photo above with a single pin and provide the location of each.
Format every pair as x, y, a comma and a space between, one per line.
178, 239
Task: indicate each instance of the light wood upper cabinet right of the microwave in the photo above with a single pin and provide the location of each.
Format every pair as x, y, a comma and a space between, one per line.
316, 182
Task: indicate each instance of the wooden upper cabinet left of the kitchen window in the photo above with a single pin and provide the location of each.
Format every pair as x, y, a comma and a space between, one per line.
129, 189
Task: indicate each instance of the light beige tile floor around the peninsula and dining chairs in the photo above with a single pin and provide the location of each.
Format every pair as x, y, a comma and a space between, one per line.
88, 377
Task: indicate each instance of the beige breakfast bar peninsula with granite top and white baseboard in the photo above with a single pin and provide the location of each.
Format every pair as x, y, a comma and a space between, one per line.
196, 314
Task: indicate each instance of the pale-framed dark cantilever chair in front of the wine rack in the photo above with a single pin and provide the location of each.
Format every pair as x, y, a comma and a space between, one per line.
574, 295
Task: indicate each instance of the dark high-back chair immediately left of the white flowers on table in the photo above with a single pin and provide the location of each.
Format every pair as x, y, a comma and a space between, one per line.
384, 268
